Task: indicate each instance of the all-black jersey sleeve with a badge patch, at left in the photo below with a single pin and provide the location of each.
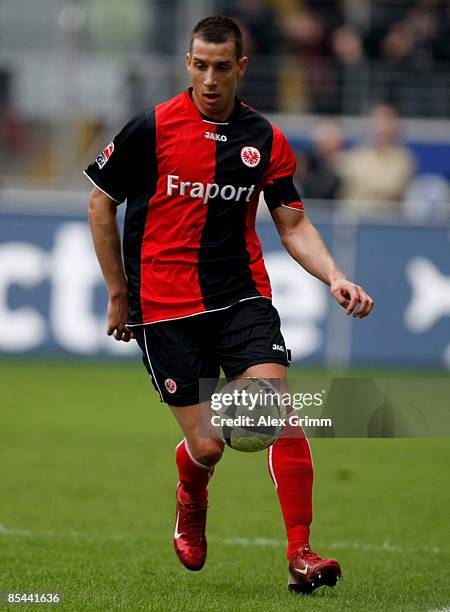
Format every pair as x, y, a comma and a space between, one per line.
115, 169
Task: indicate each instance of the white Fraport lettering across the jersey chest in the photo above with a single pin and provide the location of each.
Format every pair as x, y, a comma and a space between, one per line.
209, 191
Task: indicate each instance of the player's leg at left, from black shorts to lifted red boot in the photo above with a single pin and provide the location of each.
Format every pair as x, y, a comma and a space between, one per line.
175, 357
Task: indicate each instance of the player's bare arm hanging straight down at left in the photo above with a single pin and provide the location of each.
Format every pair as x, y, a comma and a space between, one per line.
106, 237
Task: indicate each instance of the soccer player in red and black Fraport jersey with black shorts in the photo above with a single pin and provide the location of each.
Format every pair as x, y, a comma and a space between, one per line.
191, 286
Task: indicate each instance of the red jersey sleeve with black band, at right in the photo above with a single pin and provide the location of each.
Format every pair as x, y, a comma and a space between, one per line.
279, 188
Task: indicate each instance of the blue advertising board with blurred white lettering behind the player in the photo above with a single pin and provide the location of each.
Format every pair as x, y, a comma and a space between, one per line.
53, 302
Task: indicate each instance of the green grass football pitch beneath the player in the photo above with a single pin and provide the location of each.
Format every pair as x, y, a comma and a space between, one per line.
87, 489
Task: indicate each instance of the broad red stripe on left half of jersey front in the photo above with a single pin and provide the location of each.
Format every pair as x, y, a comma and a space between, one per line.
174, 225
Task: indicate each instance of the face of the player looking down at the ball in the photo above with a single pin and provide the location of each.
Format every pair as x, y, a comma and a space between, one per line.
214, 71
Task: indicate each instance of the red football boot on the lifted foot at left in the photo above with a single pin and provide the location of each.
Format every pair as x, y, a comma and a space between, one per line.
189, 537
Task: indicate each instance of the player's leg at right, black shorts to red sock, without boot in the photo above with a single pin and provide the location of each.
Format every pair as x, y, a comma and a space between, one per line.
254, 346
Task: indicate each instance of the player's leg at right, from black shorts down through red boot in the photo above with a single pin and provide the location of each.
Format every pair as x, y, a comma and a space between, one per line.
253, 339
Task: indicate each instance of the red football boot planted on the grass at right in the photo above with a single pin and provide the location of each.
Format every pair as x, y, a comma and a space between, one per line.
308, 571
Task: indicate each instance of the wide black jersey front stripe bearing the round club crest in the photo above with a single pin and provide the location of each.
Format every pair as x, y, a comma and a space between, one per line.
223, 259
